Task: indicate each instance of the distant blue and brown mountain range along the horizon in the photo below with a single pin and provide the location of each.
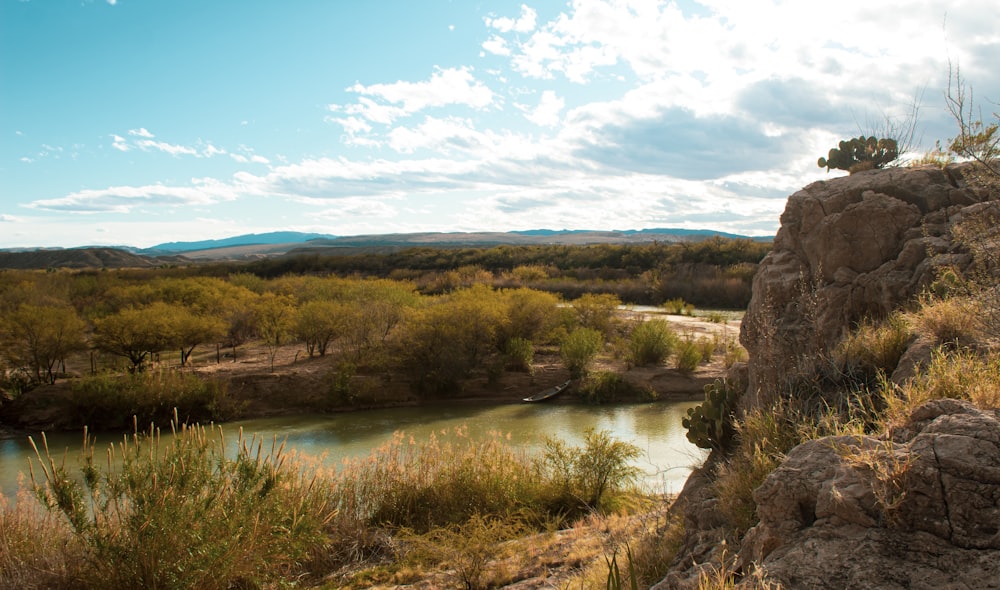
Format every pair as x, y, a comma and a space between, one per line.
256, 246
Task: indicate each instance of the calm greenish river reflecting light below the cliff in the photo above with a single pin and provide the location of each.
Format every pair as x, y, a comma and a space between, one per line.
666, 460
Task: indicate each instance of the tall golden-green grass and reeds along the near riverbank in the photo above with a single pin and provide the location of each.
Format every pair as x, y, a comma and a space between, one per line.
178, 512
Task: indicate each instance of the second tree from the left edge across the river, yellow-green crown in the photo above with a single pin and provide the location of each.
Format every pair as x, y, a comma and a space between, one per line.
136, 332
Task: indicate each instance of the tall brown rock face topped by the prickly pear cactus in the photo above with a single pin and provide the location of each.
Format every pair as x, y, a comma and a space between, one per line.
849, 248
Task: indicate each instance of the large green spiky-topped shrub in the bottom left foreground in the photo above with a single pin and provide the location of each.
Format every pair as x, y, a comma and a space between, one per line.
179, 514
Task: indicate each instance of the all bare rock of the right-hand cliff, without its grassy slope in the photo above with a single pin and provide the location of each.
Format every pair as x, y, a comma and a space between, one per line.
915, 508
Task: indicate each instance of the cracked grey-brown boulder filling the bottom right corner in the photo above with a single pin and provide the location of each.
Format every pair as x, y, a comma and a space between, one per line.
928, 517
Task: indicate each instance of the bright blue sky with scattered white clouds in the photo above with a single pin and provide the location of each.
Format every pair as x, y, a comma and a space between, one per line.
139, 122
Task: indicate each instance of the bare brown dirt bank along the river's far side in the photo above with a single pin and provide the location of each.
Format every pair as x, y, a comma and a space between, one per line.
298, 384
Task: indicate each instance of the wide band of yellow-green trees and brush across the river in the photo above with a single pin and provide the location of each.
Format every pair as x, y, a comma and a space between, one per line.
114, 333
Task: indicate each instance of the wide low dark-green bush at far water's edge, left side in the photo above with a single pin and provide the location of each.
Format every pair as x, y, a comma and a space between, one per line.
106, 401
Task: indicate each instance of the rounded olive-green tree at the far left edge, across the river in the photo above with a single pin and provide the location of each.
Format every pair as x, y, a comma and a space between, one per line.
41, 336
